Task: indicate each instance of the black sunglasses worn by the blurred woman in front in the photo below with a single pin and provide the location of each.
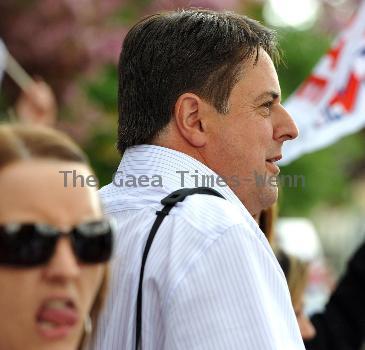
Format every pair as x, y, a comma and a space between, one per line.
29, 245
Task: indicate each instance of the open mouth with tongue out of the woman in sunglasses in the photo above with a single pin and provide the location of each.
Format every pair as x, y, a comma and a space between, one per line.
56, 318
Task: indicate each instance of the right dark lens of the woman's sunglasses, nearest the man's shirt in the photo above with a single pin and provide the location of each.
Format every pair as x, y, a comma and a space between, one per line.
93, 242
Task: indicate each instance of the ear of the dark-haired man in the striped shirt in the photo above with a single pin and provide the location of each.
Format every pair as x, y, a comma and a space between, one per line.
189, 118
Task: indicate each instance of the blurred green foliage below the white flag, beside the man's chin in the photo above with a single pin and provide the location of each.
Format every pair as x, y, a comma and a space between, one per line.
327, 176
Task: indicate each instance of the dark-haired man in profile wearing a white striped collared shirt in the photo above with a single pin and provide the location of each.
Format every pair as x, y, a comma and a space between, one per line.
198, 97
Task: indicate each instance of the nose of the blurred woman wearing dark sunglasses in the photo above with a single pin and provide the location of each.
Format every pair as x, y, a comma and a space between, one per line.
63, 265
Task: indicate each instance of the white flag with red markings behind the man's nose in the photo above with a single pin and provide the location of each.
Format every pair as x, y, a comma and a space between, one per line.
330, 103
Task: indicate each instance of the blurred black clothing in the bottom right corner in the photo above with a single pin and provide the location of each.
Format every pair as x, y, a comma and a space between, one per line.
342, 324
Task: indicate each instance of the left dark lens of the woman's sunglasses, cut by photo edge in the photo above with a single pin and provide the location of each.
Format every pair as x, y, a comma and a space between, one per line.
25, 245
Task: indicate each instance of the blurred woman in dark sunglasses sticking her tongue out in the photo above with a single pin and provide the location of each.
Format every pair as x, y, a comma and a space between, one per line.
54, 243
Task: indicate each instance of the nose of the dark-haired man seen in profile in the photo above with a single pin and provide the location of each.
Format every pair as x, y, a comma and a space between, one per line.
285, 128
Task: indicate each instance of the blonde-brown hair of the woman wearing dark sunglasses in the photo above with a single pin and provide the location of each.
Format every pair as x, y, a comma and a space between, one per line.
19, 142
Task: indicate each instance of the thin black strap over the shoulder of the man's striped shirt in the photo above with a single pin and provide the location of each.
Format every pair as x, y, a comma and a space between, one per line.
168, 202
